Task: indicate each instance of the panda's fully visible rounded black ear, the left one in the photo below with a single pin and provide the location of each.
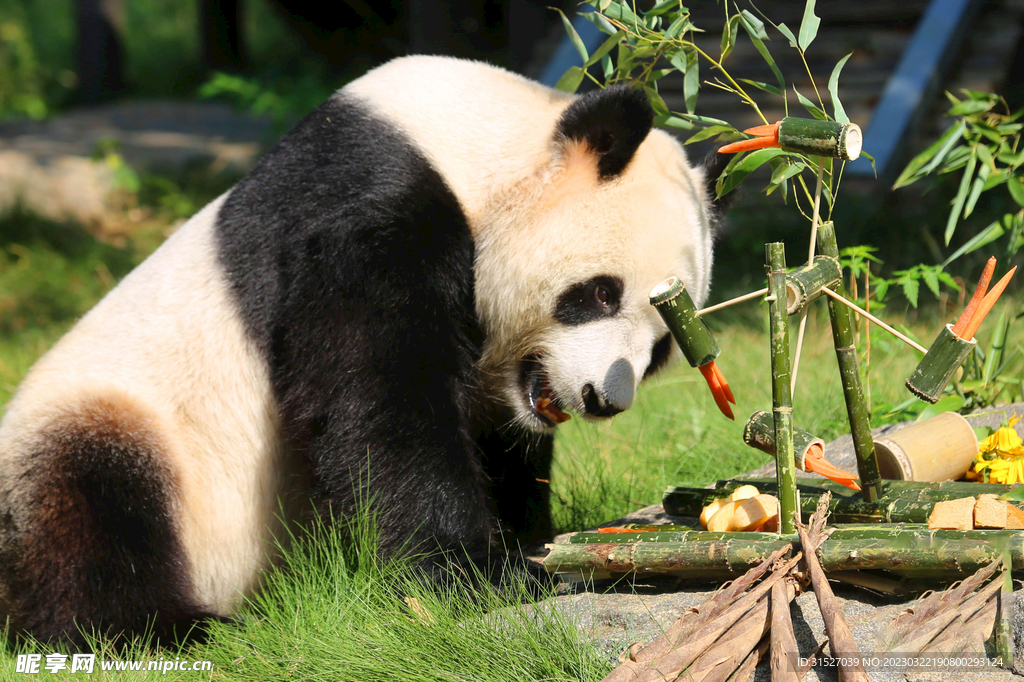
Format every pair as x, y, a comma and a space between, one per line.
612, 122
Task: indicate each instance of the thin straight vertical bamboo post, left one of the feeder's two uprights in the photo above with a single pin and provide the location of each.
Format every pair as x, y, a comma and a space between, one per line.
782, 399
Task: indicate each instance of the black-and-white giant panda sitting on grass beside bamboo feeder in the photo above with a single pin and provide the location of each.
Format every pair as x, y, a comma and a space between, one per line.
398, 305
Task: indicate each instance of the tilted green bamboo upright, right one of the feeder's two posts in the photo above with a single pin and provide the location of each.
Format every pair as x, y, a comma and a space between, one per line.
846, 354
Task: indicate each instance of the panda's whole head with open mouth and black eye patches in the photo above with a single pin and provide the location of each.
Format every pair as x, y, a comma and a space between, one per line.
567, 259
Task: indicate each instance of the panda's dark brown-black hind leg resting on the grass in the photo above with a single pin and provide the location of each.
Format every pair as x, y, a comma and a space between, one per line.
91, 542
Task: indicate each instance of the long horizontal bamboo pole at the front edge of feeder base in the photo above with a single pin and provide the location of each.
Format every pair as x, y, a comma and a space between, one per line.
912, 553
